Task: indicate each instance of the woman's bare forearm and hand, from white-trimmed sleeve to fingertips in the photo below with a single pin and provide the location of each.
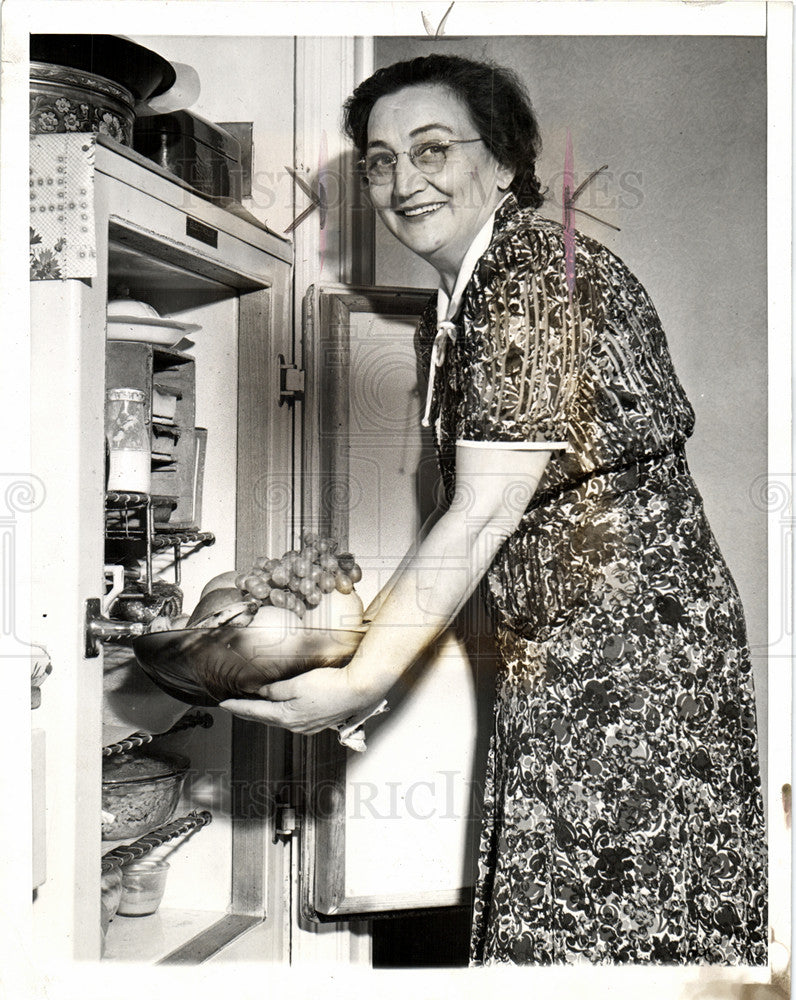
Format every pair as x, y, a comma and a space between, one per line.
493, 489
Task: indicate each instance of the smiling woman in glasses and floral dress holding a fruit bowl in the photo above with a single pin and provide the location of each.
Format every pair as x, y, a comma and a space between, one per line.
623, 816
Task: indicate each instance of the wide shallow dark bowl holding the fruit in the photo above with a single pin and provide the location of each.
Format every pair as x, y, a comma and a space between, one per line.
203, 666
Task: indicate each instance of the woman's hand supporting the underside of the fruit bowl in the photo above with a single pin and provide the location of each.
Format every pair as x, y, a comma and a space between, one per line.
307, 703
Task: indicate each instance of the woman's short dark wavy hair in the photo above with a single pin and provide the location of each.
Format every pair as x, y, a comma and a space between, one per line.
495, 97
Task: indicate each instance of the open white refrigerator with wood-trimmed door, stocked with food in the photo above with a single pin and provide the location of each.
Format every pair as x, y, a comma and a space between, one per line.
259, 427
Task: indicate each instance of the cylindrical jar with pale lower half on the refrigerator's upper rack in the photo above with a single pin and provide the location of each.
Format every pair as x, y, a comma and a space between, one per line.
127, 437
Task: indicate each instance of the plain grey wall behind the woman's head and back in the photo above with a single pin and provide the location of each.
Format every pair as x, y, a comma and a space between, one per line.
681, 124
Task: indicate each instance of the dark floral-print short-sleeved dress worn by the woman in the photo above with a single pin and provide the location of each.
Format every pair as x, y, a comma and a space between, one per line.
623, 815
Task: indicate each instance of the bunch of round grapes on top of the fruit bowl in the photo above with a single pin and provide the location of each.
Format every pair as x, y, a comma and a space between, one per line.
302, 576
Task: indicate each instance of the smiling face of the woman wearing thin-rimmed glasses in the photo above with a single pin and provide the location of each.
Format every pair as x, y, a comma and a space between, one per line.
435, 215
